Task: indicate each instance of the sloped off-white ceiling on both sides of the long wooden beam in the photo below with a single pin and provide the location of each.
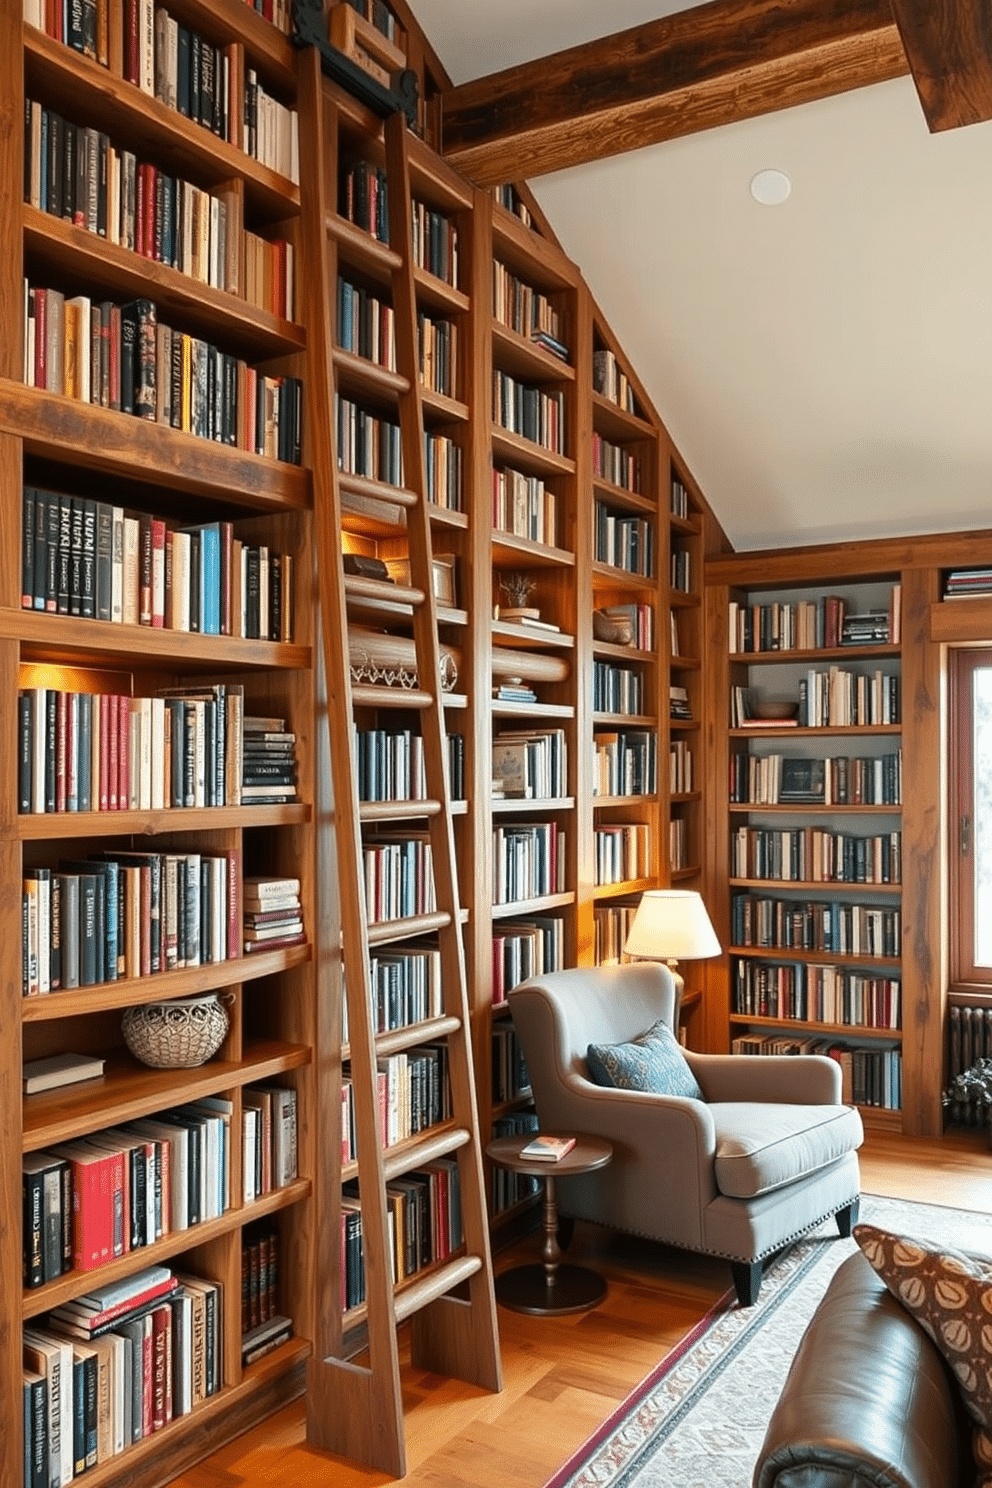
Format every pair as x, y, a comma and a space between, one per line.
825, 367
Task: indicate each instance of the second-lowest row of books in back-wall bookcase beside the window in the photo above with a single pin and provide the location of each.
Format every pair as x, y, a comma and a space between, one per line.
816, 993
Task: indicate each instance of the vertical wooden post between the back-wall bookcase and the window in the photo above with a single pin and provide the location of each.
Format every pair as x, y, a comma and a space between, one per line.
924, 873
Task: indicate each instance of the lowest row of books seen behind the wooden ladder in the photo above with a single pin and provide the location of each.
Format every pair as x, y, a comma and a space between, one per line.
425, 1224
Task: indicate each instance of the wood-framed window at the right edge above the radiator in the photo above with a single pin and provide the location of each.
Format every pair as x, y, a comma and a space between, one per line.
972, 818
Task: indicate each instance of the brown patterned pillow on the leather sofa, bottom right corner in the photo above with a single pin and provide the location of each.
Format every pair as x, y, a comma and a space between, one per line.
951, 1298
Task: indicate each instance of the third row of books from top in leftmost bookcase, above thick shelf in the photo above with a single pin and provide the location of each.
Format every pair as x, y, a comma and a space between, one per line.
126, 358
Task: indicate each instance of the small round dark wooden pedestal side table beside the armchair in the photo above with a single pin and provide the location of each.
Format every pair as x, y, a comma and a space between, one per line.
553, 1286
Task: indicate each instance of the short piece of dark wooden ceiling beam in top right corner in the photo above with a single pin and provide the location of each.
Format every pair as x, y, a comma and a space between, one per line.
950, 50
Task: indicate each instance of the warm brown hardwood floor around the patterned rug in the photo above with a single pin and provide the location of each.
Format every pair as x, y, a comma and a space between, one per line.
564, 1377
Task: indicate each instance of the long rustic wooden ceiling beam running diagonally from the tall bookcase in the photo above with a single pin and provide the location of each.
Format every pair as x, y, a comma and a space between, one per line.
704, 68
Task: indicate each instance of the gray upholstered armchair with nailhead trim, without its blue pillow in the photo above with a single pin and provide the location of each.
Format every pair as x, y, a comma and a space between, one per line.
765, 1157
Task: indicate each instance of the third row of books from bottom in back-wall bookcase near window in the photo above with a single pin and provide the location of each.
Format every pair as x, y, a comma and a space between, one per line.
828, 926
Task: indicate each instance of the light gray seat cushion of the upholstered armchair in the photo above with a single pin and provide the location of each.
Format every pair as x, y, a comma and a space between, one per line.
765, 1147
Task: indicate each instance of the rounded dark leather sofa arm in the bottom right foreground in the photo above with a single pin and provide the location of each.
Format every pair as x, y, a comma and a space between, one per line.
869, 1402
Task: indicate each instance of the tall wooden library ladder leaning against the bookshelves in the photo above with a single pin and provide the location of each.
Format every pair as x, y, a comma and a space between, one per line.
356, 1410
